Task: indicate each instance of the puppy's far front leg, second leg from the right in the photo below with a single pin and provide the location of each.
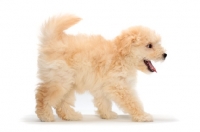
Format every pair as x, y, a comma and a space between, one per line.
104, 106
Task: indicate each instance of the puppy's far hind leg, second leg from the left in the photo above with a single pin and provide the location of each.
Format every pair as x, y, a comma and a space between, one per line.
64, 109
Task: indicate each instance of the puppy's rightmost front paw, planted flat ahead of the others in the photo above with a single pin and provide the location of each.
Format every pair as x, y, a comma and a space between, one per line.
142, 118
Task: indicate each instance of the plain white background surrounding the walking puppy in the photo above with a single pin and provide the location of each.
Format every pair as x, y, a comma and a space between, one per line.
172, 95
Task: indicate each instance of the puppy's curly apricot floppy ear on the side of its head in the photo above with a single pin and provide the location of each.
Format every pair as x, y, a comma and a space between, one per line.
124, 43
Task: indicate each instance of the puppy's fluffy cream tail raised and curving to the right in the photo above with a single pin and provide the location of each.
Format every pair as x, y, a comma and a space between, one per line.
54, 27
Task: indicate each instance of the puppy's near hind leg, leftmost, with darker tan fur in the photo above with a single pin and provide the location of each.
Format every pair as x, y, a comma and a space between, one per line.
48, 94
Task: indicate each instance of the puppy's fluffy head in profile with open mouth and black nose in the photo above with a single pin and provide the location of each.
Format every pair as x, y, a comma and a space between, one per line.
143, 46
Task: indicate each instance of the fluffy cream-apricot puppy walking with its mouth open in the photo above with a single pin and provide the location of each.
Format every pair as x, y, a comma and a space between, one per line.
106, 68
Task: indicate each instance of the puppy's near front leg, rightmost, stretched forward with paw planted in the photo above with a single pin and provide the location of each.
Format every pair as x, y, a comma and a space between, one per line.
128, 101
